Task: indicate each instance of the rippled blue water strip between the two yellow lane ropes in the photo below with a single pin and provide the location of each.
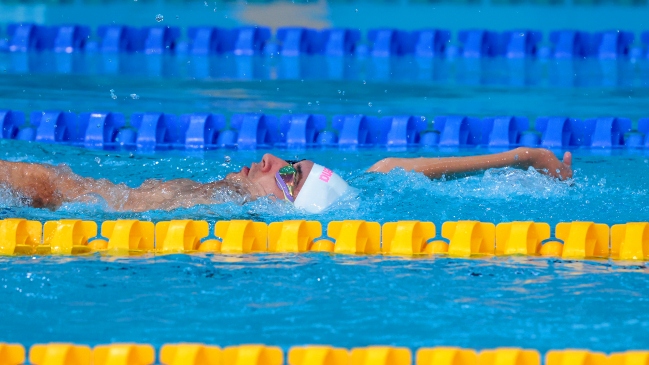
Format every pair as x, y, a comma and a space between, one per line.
344, 301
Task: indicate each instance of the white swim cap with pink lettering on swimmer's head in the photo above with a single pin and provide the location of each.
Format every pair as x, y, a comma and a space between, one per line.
321, 189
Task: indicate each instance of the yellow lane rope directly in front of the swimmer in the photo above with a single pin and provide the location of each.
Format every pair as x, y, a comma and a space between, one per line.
575, 240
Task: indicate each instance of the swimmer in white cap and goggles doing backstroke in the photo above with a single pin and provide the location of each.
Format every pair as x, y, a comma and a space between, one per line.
307, 185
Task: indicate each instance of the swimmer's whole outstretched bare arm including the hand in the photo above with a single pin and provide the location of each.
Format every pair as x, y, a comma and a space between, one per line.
522, 158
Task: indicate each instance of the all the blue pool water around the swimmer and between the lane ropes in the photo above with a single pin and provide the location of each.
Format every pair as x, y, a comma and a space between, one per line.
340, 300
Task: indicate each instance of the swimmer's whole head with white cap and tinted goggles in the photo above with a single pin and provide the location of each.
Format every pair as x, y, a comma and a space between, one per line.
314, 187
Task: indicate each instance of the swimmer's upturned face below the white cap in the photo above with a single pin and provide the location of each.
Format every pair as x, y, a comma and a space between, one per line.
259, 178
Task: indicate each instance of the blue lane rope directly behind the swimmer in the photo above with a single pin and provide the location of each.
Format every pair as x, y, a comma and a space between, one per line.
246, 131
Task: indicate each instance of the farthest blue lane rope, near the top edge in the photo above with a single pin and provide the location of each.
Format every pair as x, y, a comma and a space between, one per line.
293, 41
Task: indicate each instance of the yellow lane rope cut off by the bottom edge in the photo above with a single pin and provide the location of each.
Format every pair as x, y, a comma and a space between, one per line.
201, 354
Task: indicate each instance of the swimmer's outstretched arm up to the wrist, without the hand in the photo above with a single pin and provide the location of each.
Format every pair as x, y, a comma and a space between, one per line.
458, 166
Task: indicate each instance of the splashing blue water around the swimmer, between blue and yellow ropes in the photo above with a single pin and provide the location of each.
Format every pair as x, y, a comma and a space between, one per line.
606, 188
